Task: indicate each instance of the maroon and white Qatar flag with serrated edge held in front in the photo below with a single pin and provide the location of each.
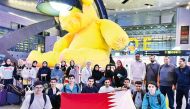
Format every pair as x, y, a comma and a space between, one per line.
117, 100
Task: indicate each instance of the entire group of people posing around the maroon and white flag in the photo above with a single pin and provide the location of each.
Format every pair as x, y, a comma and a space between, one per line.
148, 83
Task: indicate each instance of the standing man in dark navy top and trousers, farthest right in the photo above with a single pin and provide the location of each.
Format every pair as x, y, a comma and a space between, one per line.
183, 83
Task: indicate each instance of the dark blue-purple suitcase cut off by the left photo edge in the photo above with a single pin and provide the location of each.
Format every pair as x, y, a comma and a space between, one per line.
3, 97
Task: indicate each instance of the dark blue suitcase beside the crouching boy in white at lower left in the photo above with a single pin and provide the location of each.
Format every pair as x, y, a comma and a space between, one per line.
13, 98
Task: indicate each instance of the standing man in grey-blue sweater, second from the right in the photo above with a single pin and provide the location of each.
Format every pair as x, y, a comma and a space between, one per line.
167, 80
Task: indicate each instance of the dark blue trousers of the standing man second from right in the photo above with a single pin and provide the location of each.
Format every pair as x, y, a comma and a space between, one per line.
170, 93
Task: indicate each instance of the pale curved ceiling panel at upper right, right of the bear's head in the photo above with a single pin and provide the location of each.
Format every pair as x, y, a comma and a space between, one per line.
139, 5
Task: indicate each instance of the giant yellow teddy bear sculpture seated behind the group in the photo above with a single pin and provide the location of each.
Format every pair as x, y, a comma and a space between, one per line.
89, 38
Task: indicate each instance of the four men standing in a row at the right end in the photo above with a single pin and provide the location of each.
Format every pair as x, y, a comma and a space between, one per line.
167, 77
